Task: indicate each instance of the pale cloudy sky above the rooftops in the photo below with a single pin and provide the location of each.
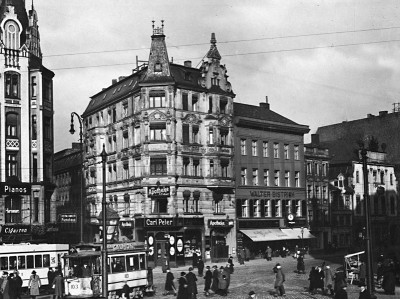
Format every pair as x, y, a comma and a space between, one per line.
319, 62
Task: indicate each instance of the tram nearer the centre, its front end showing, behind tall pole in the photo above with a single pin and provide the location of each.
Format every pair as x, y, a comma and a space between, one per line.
127, 264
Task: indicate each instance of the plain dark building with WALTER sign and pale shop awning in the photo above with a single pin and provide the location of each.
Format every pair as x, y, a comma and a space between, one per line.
271, 204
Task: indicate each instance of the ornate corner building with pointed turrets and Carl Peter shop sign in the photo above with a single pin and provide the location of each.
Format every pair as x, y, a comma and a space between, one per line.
167, 130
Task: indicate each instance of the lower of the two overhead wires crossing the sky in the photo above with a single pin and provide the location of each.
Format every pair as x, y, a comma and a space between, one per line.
248, 53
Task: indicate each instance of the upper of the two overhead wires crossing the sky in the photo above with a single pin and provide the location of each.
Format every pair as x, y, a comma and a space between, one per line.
233, 41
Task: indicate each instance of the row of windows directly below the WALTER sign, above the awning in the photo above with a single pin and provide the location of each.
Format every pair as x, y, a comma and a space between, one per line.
249, 208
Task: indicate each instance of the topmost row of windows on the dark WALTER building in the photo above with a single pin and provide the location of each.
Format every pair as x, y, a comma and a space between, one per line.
264, 151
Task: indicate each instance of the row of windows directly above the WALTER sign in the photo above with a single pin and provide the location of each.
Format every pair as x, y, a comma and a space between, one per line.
266, 179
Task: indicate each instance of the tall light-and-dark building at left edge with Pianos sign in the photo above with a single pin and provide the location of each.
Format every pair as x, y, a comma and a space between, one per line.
26, 129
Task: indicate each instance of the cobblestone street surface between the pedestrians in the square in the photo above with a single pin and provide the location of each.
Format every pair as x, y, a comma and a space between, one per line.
257, 275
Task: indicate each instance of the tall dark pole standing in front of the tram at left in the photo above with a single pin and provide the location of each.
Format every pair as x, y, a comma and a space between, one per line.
104, 277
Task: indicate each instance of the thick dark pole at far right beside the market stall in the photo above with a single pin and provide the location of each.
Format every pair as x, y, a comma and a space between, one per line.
370, 273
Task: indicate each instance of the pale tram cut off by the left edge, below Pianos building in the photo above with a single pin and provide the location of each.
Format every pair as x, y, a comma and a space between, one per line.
26, 257
